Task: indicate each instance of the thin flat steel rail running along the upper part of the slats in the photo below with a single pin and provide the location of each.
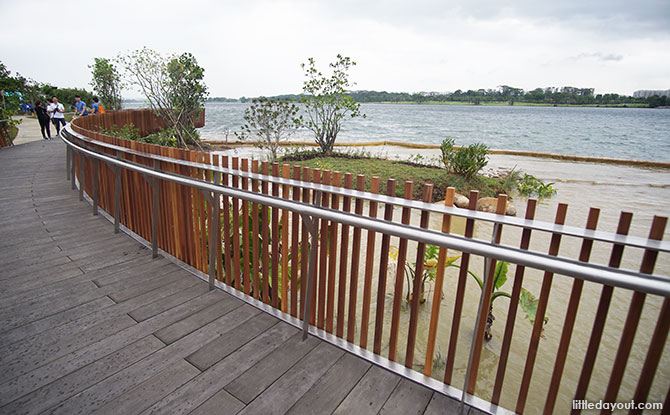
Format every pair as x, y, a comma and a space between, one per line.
601, 236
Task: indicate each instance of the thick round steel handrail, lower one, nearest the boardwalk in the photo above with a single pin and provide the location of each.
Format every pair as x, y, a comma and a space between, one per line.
648, 283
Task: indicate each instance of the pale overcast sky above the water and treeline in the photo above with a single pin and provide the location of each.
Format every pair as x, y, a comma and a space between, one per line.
251, 48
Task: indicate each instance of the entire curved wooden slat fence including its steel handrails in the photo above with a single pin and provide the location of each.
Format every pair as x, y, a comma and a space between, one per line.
291, 239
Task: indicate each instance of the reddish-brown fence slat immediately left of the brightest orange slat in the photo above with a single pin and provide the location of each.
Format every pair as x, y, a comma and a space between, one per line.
418, 273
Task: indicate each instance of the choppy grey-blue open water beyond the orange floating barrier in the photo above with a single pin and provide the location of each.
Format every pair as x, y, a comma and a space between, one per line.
630, 133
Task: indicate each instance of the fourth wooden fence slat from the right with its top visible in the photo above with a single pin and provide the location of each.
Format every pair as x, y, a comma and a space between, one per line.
539, 316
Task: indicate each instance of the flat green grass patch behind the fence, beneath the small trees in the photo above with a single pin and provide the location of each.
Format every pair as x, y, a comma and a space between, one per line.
400, 171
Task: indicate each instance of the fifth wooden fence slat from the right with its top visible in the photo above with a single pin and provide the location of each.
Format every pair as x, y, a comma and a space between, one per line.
514, 301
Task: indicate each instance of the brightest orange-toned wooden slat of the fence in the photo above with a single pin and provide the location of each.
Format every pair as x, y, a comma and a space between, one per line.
437, 290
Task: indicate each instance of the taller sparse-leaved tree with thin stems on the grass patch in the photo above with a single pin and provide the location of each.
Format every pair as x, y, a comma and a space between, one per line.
326, 102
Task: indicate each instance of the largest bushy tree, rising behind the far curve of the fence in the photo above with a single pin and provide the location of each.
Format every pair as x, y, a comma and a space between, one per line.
173, 86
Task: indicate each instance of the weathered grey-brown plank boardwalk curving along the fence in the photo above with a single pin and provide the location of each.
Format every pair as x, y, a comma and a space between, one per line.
89, 322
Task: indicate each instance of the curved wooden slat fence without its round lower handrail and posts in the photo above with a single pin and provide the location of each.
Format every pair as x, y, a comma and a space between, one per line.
363, 289
